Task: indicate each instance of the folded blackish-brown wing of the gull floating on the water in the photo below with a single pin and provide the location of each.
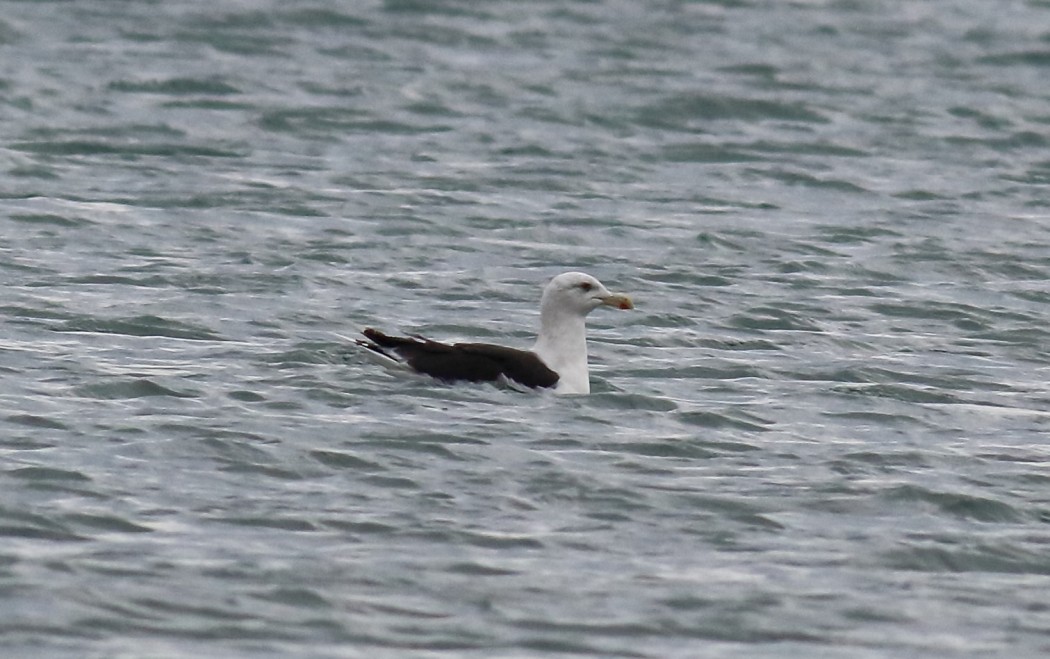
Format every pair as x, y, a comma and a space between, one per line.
473, 363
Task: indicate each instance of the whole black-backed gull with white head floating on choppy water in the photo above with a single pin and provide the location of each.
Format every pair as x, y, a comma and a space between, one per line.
558, 359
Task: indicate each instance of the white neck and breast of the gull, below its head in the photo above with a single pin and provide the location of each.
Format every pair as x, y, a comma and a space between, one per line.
562, 346
